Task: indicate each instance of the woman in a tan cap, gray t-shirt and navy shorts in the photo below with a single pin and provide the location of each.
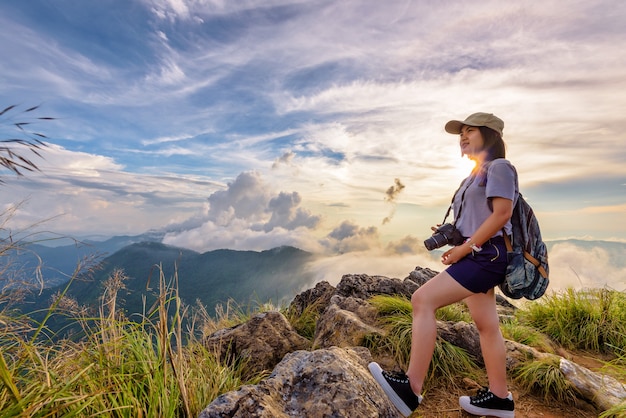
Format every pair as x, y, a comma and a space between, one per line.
482, 206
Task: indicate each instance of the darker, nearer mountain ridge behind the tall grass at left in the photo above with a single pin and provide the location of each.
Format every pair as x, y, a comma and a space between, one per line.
214, 277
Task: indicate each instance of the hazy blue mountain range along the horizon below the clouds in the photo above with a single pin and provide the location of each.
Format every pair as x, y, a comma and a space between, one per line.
211, 278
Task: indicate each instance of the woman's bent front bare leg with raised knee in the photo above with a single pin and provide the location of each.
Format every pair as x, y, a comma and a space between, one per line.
441, 290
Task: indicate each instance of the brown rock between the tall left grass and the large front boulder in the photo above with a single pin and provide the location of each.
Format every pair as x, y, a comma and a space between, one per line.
262, 341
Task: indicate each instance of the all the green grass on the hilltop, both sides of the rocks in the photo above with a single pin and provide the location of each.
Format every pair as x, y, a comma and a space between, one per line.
149, 367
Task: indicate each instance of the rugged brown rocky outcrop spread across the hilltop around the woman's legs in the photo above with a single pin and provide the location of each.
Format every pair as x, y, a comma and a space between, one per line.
332, 378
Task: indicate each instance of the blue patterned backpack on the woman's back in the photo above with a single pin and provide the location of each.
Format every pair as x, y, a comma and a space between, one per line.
527, 271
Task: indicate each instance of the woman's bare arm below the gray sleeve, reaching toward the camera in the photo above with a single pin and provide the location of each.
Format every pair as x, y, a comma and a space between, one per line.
502, 211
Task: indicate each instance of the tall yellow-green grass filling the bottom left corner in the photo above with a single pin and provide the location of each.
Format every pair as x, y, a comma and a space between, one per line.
119, 368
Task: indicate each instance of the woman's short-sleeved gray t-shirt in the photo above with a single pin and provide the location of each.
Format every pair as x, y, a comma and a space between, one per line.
500, 180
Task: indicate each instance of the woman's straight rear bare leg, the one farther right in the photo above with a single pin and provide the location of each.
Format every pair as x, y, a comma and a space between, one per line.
483, 310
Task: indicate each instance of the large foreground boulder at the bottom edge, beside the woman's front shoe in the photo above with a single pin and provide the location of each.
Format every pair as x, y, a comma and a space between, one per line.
333, 382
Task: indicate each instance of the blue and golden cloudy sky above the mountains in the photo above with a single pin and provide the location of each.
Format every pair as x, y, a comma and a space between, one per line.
251, 124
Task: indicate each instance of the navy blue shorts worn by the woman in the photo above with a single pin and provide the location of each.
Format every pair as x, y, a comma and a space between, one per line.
480, 271
